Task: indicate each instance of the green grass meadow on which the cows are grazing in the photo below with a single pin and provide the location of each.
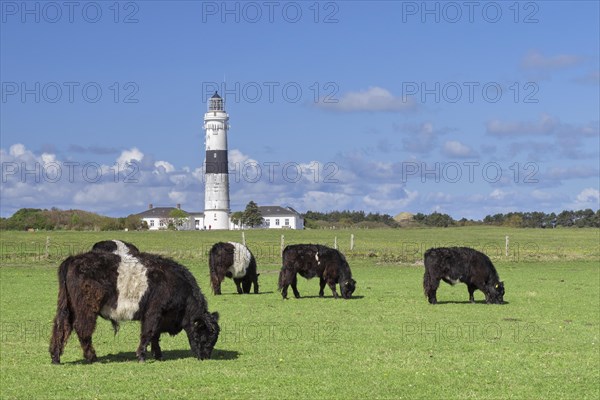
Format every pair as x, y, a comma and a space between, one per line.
387, 342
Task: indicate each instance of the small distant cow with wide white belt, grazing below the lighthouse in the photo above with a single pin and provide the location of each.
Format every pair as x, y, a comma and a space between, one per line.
232, 260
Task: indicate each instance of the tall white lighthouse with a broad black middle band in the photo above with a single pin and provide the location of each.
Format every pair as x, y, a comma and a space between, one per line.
216, 189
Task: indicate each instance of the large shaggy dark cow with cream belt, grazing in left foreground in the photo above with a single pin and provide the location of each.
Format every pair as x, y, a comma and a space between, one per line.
157, 291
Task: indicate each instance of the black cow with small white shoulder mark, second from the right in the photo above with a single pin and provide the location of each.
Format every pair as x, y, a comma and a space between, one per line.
311, 260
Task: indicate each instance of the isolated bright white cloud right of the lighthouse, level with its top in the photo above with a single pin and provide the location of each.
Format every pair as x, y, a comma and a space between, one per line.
374, 98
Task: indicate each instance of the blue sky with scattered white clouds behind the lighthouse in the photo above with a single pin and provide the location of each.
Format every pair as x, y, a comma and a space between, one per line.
467, 108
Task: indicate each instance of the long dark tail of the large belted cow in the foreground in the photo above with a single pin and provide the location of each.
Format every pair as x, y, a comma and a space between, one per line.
63, 321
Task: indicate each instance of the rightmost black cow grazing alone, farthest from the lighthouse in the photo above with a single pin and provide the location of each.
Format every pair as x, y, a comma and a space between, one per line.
462, 264
